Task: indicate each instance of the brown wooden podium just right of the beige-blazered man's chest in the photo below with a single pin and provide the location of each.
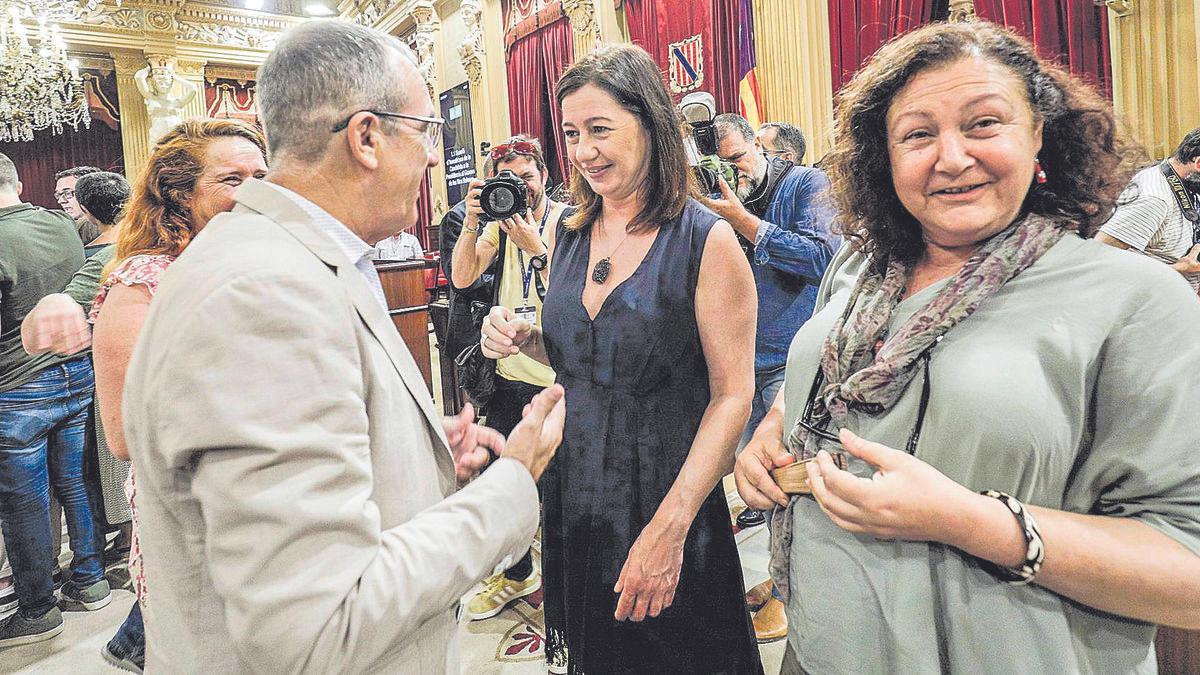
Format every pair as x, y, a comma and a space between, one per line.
409, 304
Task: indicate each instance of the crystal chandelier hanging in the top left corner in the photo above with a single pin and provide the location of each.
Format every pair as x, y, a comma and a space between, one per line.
40, 87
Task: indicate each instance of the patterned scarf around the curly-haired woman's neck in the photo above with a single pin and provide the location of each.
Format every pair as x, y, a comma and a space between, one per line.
859, 377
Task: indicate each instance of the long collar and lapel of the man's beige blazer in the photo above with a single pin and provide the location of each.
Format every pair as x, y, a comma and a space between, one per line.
266, 200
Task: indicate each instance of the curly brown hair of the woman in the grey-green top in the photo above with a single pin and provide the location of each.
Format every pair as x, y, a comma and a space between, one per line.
1088, 157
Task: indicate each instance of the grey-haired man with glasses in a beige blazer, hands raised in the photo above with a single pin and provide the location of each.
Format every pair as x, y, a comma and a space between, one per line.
297, 492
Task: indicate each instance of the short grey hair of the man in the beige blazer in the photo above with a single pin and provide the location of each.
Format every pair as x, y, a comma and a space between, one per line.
322, 71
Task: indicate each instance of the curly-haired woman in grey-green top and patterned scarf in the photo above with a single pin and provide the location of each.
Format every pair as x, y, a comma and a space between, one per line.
1017, 405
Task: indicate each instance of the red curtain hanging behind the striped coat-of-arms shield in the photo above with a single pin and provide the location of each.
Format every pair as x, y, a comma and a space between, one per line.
657, 25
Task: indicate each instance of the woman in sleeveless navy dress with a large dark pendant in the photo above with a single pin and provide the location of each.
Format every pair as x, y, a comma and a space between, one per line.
650, 324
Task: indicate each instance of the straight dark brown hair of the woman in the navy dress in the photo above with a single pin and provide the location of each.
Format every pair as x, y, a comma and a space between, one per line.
633, 79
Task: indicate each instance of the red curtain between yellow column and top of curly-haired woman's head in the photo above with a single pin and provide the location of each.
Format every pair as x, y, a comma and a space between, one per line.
857, 28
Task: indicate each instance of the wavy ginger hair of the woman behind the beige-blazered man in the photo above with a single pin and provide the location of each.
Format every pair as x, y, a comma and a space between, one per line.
158, 219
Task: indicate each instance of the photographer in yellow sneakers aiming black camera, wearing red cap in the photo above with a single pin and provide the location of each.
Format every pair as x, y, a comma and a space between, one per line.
512, 208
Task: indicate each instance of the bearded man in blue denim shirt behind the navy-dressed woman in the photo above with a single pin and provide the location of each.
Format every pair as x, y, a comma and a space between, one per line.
784, 220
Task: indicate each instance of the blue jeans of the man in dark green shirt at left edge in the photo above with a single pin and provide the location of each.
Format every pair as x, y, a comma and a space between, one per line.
41, 447
